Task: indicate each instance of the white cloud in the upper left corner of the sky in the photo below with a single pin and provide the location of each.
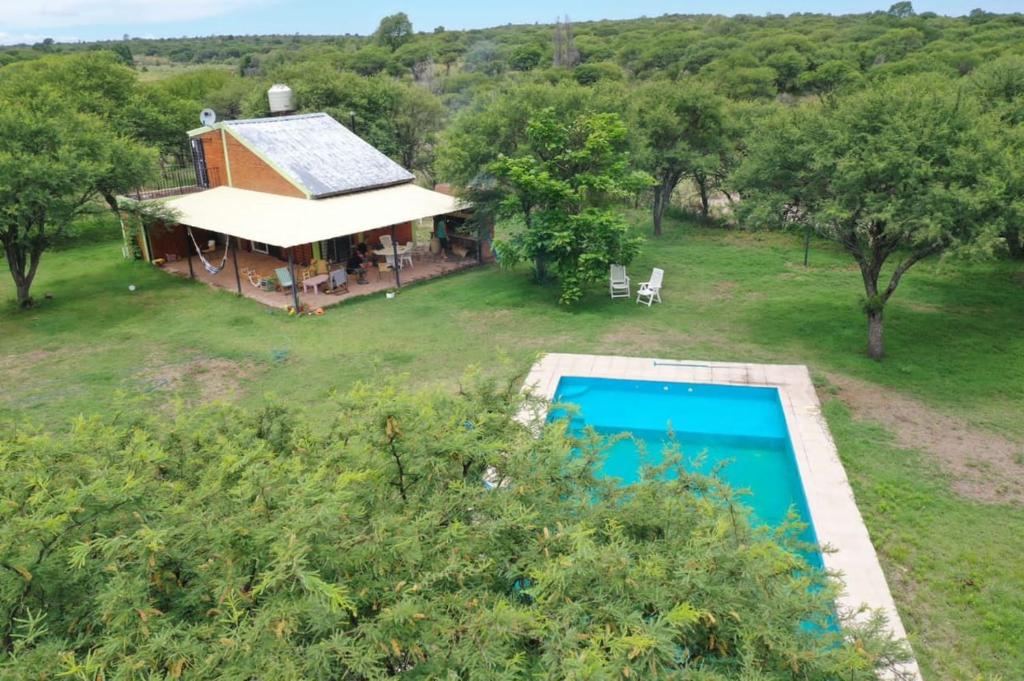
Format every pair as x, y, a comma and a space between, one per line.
37, 15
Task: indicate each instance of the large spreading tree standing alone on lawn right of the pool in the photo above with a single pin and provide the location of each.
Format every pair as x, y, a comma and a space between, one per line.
900, 172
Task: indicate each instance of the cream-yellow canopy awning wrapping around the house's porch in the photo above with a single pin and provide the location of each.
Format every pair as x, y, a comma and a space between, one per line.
287, 222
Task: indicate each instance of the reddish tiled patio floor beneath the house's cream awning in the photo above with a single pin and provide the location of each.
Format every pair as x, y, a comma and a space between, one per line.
423, 269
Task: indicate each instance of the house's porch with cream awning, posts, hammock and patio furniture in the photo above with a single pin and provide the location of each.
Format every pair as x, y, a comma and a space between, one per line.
253, 243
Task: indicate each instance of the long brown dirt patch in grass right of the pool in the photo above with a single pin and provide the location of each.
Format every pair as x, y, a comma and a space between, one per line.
983, 466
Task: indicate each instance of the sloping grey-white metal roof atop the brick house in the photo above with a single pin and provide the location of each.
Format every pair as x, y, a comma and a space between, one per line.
319, 154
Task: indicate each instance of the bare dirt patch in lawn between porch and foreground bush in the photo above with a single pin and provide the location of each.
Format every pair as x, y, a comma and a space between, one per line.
199, 380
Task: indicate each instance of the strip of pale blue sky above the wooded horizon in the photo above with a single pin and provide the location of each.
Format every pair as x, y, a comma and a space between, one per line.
31, 21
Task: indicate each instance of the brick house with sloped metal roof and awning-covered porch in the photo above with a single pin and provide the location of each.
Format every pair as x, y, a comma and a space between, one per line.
302, 192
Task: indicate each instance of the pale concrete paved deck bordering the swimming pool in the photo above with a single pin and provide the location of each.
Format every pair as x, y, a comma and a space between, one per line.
834, 510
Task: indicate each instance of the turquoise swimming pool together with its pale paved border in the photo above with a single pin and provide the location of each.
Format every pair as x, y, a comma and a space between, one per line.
765, 417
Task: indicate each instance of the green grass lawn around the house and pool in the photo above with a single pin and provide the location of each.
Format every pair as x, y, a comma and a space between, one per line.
954, 338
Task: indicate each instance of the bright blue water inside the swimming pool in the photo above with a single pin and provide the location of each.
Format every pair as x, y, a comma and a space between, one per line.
744, 428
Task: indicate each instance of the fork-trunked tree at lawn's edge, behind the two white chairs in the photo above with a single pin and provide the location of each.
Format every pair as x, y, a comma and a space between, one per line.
685, 133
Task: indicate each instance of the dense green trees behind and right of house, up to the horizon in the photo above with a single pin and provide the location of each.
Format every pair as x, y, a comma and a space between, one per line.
709, 110
